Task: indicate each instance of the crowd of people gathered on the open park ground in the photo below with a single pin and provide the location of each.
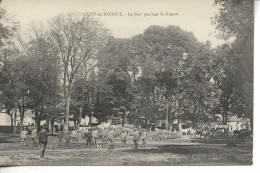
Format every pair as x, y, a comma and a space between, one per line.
97, 137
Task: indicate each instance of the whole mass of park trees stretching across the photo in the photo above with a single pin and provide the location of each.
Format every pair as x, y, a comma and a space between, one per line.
71, 66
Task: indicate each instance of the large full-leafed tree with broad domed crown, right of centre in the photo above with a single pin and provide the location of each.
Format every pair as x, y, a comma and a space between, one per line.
169, 59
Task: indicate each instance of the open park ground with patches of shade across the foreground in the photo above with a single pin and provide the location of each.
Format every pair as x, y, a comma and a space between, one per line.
179, 151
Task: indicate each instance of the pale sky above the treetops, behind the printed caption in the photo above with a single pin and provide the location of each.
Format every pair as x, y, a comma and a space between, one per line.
193, 15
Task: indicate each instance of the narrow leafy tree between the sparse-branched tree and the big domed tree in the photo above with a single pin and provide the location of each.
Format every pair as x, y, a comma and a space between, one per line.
114, 64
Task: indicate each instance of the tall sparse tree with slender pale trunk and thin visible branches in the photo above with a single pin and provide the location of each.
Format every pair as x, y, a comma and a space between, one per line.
78, 40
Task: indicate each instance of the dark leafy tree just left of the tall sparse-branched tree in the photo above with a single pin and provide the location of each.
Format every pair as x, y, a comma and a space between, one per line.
44, 81
